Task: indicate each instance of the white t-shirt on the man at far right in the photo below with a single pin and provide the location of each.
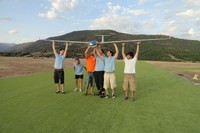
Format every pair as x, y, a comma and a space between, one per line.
130, 65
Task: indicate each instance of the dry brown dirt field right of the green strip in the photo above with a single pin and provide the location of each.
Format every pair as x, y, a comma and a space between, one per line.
183, 69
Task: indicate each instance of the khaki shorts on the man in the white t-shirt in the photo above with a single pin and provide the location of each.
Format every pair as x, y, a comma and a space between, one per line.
129, 82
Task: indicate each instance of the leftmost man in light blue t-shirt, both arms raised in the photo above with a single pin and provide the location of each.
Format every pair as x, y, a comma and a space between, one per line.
59, 67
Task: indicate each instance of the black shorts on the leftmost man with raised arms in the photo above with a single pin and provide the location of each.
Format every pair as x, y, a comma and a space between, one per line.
59, 76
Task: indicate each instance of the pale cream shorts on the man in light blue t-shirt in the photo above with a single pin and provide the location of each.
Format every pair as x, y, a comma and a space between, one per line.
109, 79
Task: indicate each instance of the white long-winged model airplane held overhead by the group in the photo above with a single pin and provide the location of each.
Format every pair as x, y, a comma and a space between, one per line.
94, 42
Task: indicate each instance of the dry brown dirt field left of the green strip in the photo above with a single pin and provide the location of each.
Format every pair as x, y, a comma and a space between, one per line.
14, 66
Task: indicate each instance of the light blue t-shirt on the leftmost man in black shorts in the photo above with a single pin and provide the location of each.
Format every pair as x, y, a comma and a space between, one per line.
59, 61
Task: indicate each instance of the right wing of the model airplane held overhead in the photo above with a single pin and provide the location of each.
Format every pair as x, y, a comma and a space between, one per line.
136, 40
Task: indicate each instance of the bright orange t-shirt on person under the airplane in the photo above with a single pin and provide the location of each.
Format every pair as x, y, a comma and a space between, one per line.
90, 63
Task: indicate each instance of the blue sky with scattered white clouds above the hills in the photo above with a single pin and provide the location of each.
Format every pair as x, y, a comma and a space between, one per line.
29, 20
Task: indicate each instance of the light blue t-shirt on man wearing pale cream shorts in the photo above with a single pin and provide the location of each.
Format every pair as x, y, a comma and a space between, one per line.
109, 64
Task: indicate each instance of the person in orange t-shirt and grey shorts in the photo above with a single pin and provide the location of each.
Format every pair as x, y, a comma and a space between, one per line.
90, 65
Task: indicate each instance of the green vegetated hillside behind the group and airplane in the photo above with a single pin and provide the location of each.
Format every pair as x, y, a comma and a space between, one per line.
165, 50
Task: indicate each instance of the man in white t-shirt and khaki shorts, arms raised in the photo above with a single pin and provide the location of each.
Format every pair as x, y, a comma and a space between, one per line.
129, 71
